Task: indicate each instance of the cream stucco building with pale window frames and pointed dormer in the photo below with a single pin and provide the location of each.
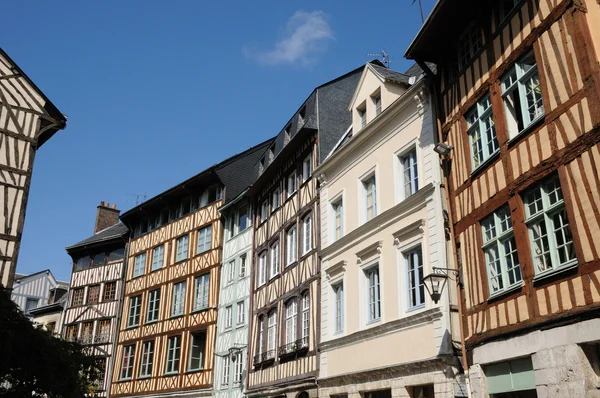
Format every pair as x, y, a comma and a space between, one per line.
382, 230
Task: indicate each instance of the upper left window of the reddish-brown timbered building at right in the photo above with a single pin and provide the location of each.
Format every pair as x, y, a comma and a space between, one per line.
481, 131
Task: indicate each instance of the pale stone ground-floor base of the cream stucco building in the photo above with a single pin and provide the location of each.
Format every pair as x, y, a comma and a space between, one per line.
437, 378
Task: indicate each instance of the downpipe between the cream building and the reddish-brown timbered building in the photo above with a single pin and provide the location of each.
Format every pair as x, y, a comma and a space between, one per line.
446, 170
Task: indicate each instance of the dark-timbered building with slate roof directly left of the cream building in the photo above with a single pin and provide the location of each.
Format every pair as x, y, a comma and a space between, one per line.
285, 275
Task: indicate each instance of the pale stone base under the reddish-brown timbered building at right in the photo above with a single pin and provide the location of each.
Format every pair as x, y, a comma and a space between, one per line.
562, 362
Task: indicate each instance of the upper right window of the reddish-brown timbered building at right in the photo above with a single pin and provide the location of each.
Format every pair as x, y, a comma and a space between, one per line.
522, 95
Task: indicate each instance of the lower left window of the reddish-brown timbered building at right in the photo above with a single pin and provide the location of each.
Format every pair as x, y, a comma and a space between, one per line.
500, 250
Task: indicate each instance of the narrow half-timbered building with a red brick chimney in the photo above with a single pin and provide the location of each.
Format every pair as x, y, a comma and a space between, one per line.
96, 291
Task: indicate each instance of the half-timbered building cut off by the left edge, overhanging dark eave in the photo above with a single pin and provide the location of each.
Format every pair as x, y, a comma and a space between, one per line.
27, 120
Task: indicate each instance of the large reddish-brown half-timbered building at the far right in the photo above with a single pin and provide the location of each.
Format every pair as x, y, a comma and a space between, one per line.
518, 100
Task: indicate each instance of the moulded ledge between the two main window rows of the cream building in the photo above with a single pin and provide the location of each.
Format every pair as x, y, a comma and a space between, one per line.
411, 203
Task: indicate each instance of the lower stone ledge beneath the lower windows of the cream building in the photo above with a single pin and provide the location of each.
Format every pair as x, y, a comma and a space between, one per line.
421, 318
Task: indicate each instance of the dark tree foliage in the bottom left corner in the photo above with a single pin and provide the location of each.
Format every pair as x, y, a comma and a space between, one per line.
34, 363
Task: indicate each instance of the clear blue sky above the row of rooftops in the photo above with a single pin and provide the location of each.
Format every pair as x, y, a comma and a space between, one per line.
157, 91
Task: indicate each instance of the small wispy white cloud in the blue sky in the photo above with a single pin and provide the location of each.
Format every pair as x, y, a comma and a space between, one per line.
305, 37
